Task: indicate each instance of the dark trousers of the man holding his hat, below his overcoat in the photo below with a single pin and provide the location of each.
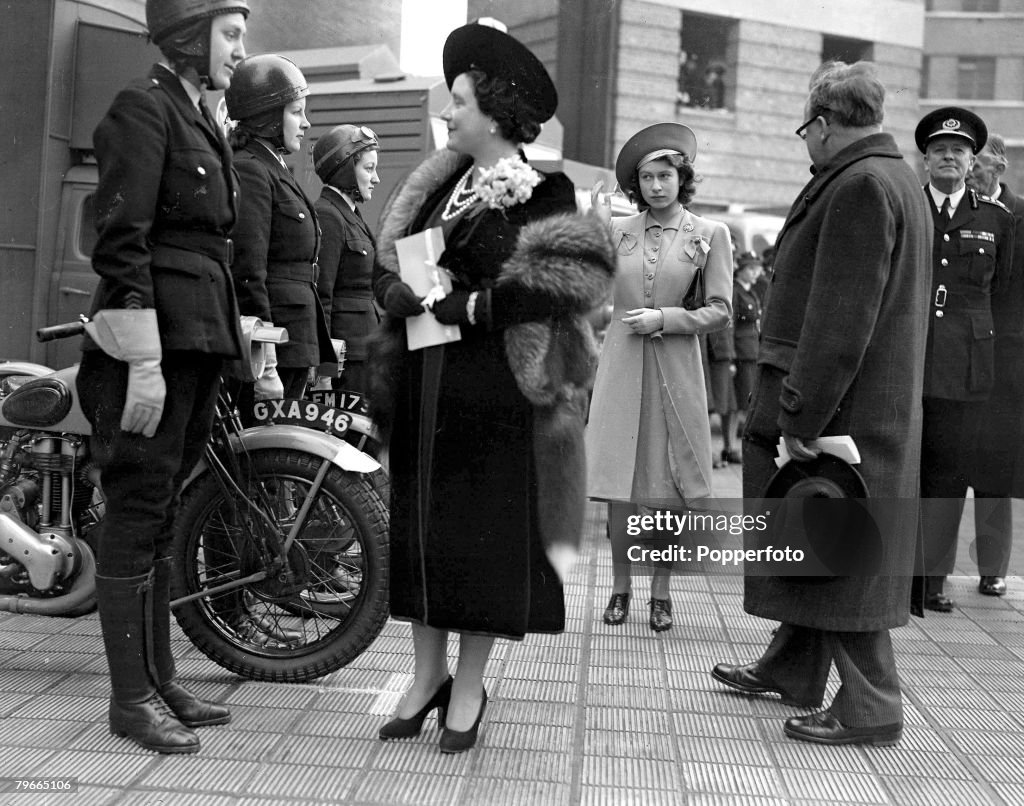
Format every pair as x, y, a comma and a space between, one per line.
799, 659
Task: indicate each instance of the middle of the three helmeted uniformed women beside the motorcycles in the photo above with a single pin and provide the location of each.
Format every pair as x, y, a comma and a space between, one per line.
277, 238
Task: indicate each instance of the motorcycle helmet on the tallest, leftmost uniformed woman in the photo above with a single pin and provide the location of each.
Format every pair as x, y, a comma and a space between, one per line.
182, 29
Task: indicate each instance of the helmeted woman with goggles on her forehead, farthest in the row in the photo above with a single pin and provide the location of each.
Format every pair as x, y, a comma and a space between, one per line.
346, 160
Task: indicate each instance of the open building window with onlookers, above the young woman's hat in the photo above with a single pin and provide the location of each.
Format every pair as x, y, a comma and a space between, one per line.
707, 62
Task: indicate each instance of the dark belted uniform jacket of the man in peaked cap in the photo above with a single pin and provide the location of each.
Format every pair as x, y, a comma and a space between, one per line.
972, 257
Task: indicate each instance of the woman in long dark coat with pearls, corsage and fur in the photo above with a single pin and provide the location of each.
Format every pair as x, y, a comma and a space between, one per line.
487, 465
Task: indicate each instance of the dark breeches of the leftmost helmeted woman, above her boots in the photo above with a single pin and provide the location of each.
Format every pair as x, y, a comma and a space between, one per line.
142, 477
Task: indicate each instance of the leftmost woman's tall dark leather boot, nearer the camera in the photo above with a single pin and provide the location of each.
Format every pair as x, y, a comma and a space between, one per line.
137, 709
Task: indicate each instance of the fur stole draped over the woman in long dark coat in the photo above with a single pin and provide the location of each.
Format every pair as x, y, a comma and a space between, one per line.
569, 257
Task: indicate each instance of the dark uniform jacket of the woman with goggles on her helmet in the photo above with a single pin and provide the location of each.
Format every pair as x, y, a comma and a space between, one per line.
347, 264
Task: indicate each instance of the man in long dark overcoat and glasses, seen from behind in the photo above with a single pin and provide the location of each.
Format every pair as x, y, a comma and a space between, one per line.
842, 354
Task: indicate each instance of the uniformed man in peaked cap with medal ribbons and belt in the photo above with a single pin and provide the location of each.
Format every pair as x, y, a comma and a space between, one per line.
972, 257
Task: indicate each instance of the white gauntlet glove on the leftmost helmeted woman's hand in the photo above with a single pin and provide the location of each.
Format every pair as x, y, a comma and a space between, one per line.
133, 335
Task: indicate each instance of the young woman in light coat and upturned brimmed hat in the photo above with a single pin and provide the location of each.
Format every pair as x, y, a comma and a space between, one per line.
649, 438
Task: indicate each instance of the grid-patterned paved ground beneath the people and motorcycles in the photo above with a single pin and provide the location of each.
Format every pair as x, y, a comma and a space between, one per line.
595, 716
